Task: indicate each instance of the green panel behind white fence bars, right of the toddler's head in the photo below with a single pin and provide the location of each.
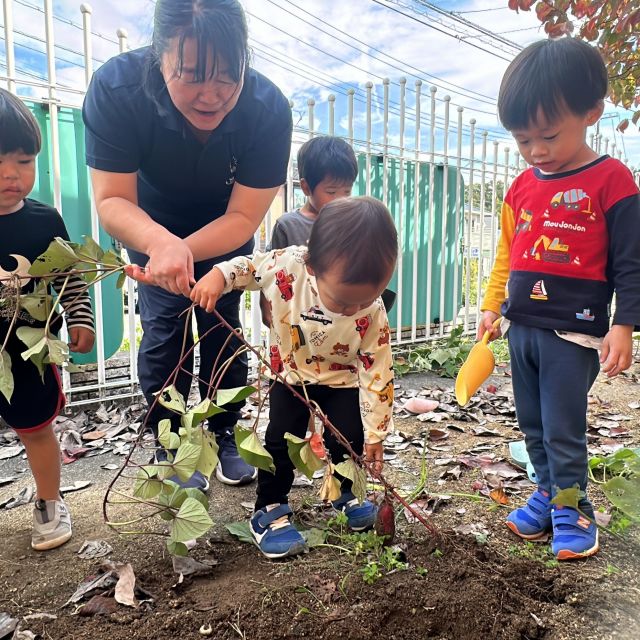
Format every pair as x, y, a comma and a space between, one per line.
430, 222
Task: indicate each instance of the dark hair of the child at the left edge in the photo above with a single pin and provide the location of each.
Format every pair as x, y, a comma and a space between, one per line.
19, 130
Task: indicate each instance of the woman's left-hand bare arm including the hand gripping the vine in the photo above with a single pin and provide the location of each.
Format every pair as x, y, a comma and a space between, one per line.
170, 263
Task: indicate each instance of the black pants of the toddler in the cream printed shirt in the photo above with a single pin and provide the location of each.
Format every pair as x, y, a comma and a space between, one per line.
288, 414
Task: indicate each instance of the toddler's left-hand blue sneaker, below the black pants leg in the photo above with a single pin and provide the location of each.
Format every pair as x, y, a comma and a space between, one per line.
275, 535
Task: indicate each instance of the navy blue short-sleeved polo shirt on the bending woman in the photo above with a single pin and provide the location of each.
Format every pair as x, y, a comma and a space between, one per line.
184, 184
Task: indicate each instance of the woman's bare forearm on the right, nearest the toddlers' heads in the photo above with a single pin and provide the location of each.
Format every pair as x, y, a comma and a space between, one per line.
246, 209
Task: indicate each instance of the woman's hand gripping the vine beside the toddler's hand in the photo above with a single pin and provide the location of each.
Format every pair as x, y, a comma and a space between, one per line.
170, 266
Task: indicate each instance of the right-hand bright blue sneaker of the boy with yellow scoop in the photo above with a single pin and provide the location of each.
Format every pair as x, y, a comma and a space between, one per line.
574, 536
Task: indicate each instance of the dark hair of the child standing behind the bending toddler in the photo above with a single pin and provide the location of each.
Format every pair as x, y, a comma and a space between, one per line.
327, 157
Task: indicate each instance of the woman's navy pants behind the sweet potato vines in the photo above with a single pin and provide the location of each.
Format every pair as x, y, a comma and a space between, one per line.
163, 332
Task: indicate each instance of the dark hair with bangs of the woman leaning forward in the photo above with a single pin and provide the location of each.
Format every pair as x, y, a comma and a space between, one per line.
217, 26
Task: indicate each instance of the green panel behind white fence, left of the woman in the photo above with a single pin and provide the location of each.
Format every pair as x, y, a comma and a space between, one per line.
76, 210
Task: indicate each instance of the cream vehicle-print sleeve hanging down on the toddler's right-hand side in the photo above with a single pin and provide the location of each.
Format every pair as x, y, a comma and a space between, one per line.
375, 373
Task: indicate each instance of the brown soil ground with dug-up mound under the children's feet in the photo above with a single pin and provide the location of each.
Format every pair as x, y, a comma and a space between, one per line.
455, 587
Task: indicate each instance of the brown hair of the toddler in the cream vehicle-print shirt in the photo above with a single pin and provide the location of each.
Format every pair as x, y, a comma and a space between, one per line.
359, 232
